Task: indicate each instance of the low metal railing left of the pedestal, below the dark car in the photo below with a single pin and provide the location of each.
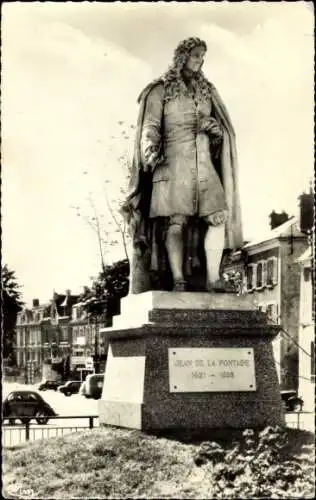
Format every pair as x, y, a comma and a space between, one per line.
13, 435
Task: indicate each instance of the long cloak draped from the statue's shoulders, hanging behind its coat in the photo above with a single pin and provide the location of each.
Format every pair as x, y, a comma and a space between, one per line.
137, 204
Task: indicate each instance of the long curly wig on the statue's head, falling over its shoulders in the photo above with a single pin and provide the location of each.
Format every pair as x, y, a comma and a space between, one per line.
173, 80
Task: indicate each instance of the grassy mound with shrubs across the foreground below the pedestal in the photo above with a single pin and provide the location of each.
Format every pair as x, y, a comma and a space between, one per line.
117, 463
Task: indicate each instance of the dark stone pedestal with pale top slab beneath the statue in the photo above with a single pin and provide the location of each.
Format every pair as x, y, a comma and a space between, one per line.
140, 391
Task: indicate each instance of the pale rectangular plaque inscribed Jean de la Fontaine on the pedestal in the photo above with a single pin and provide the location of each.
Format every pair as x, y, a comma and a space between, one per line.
211, 369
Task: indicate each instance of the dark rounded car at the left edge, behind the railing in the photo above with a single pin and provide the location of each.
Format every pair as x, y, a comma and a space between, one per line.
26, 405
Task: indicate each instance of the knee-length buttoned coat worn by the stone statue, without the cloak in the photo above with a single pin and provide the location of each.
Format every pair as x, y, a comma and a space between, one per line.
185, 181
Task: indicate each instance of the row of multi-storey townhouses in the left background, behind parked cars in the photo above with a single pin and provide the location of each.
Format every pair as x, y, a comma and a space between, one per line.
49, 334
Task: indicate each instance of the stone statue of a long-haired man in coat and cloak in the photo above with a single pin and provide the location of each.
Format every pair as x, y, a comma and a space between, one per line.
183, 205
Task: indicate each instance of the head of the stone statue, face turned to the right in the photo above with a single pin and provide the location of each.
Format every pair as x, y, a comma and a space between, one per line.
189, 55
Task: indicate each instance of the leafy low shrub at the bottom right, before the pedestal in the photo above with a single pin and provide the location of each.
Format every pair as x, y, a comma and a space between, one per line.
255, 467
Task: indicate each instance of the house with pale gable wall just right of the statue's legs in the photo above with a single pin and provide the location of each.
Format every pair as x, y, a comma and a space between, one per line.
271, 274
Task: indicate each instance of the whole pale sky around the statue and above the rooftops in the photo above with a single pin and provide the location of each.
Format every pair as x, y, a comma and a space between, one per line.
71, 75
